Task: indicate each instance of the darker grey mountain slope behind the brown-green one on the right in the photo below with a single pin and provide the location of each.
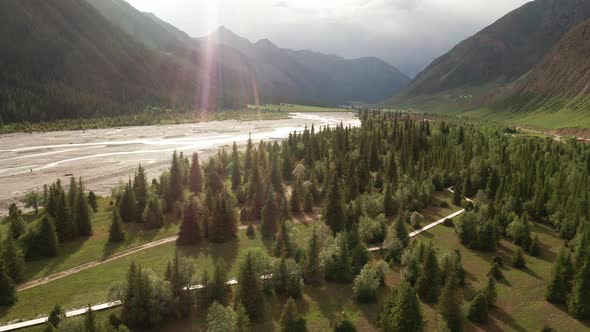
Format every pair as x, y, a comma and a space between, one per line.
498, 54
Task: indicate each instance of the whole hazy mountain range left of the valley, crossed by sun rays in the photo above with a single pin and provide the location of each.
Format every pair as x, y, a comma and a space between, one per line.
89, 58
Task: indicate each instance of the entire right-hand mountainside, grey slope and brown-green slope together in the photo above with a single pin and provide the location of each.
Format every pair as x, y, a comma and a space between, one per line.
534, 58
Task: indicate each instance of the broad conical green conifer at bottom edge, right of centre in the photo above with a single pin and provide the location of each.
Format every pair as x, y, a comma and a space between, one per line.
401, 311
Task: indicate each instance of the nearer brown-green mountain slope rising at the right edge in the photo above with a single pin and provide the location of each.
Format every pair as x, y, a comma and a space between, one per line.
560, 81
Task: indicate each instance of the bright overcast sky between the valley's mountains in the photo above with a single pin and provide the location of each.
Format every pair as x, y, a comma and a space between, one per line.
406, 33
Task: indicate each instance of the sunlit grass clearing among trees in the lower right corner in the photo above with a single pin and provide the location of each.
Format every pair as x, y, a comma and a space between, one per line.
521, 302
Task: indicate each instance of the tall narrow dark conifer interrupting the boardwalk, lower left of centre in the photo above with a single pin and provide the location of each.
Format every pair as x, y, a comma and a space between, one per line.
249, 287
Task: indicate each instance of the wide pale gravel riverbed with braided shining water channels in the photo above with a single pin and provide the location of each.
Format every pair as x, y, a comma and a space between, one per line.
105, 157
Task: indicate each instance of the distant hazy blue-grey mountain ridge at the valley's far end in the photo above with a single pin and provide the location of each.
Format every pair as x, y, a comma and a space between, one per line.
288, 75
